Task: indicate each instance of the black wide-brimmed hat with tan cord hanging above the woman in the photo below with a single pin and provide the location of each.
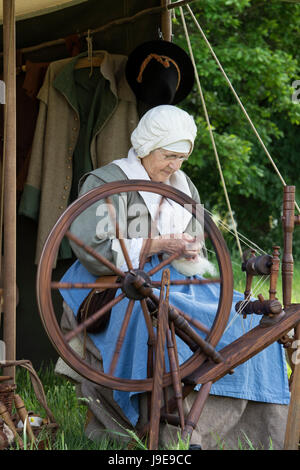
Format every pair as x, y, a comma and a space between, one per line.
160, 72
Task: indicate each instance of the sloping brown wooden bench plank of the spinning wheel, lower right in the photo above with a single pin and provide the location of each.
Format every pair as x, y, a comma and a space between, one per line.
244, 348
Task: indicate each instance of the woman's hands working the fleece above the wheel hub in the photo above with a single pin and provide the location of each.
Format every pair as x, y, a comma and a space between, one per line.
182, 243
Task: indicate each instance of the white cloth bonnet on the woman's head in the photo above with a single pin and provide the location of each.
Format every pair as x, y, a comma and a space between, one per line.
162, 126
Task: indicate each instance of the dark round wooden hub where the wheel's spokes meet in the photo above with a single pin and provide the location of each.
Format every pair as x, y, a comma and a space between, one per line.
136, 284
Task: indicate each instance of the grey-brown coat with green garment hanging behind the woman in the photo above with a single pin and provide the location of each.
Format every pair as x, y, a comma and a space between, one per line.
84, 122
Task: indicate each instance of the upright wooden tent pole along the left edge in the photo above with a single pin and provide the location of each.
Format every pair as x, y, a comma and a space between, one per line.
9, 157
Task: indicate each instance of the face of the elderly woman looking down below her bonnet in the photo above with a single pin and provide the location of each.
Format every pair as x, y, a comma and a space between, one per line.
160, 164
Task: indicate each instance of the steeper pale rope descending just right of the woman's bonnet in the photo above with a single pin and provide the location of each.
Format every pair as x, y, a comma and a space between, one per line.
211, 133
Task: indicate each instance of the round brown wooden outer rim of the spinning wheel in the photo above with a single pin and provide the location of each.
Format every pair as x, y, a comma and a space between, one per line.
45, 267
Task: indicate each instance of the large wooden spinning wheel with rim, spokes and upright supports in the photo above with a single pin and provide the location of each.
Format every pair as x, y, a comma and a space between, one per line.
138, 286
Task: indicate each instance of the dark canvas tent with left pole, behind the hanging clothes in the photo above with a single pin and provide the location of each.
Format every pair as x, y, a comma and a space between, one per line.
38, 30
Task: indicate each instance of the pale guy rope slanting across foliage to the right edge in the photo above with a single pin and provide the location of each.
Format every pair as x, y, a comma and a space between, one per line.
239, 101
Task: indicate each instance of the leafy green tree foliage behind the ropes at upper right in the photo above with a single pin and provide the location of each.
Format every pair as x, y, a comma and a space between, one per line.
257, 45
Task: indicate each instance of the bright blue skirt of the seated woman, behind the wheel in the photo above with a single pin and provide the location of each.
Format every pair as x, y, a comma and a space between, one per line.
262, 378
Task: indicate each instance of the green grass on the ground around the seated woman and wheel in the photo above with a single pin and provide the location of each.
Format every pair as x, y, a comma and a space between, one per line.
70, 412
